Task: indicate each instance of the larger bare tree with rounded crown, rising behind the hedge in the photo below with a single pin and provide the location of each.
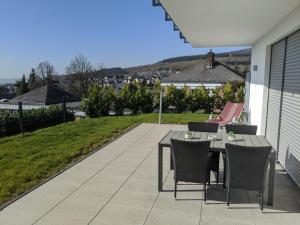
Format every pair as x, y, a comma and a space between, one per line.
80, 68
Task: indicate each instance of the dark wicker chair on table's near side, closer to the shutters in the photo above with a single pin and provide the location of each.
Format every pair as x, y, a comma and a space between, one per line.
247, 167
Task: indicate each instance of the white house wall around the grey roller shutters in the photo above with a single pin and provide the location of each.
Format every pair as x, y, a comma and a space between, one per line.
261, 58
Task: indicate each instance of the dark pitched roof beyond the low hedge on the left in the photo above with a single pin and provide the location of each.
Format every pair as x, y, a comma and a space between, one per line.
49, 94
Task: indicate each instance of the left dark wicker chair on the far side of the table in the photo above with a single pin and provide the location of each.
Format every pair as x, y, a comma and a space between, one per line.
213, 128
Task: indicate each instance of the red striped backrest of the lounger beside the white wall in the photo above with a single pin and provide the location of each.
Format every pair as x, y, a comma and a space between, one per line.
231, 111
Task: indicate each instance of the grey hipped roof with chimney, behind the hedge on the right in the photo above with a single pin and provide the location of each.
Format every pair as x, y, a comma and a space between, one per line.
201, 74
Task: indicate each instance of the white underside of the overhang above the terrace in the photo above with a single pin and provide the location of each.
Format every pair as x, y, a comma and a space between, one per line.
218, 23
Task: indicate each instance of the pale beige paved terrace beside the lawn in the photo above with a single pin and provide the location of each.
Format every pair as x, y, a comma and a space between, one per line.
118, 186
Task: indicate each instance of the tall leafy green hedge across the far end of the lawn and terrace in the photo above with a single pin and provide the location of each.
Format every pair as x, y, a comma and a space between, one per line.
139, 97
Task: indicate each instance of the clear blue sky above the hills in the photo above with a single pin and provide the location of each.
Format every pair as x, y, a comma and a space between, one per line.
113, 32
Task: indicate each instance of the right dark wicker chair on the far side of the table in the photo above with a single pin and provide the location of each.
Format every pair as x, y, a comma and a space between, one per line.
237, 129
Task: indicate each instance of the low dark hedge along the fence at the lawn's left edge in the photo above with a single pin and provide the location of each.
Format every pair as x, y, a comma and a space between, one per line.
32, 119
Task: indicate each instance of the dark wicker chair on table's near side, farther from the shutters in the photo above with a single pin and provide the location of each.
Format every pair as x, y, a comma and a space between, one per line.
190, 160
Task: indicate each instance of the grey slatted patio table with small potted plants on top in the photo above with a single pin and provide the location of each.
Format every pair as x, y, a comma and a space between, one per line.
218, 145
